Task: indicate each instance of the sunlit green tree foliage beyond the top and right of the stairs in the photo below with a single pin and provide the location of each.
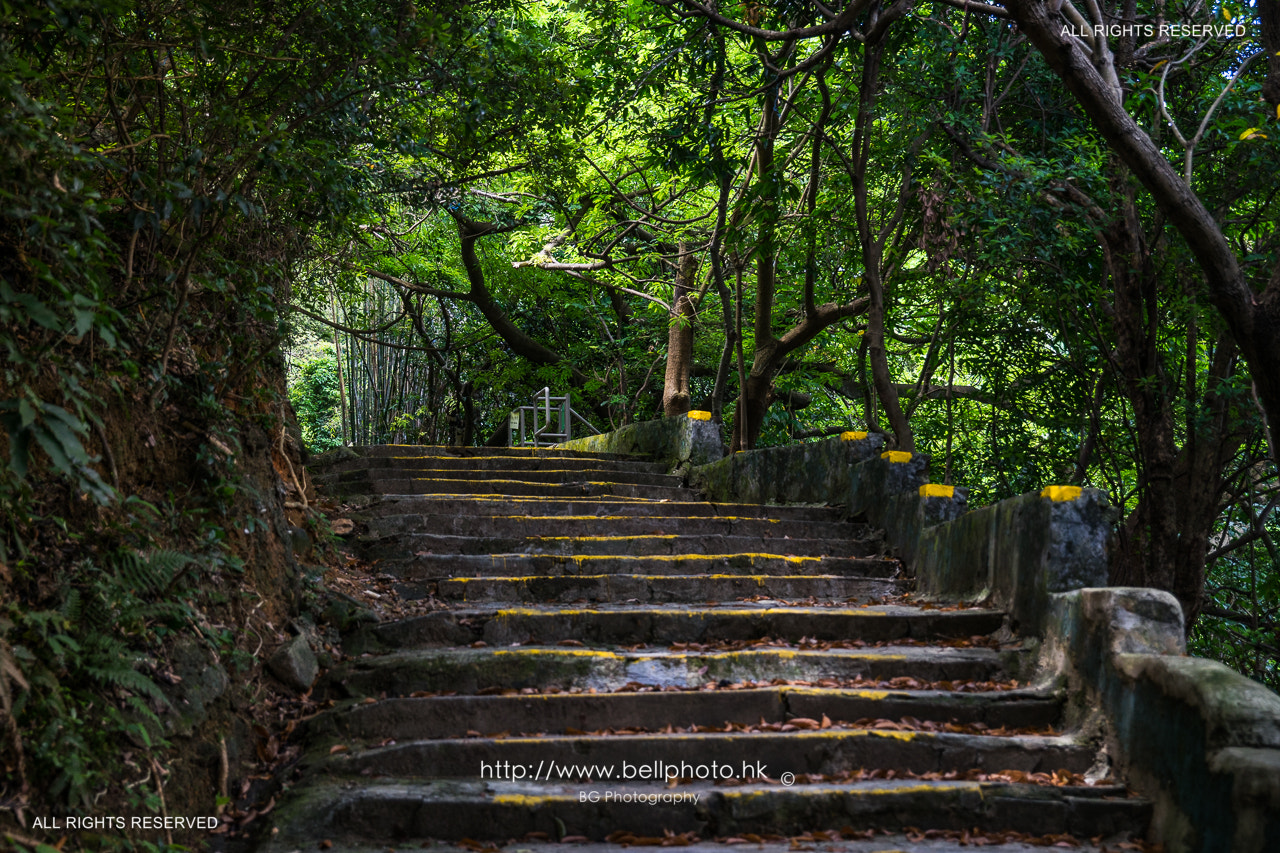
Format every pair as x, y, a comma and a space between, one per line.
639, 130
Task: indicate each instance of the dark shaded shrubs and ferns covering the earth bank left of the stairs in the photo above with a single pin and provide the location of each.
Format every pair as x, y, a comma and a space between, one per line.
162, 172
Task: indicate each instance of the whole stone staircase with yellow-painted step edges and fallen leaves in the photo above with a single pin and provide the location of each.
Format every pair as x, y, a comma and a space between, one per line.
611, 660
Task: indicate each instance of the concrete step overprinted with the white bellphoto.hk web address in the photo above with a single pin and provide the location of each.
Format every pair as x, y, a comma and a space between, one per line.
577, 759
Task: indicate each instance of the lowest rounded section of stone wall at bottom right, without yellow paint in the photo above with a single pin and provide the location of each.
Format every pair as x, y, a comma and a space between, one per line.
1196, 737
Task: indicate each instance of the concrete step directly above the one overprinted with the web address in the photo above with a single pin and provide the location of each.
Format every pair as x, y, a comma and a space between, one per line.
454, 717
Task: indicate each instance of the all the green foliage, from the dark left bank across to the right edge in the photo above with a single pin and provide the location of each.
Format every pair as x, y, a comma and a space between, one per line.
173, 183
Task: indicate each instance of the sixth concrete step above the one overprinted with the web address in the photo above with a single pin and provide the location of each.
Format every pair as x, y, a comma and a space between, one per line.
630, 545
